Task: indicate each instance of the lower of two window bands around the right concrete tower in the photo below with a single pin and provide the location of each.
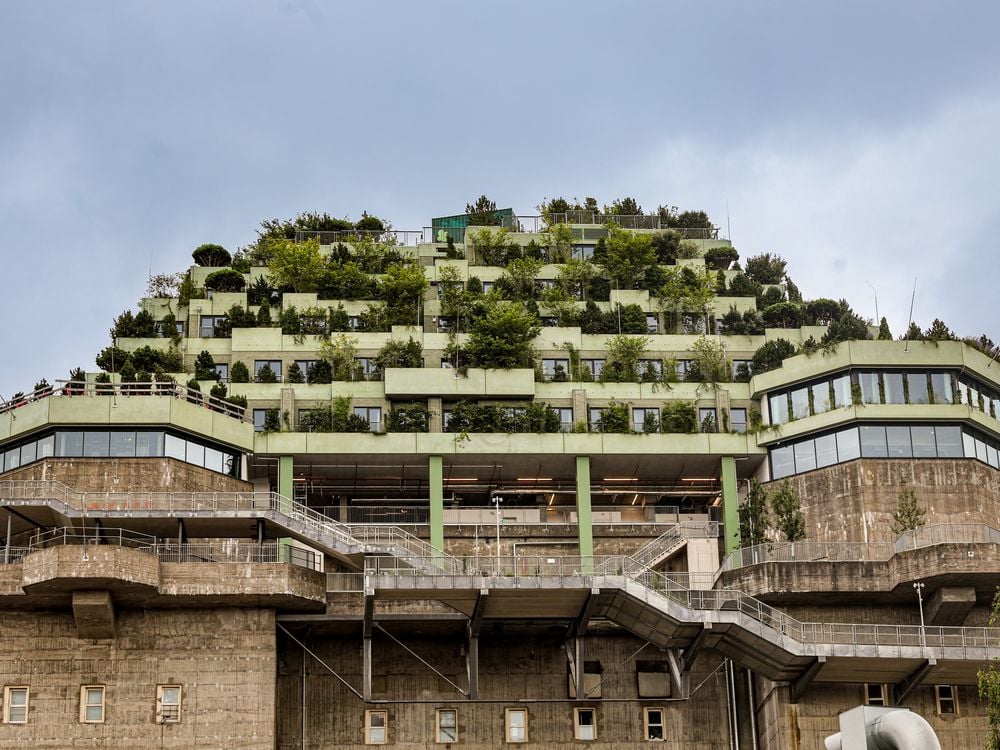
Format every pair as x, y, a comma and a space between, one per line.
883, 441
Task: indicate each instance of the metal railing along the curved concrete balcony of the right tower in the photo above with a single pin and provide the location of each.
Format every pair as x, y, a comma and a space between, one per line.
924, 536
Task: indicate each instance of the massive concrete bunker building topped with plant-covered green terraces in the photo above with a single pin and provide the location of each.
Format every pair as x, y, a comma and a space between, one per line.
484, 486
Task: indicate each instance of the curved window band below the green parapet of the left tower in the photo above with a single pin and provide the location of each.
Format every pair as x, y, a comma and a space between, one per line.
121, 444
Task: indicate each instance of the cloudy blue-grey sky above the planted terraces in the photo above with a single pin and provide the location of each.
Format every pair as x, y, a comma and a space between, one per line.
856, 139
